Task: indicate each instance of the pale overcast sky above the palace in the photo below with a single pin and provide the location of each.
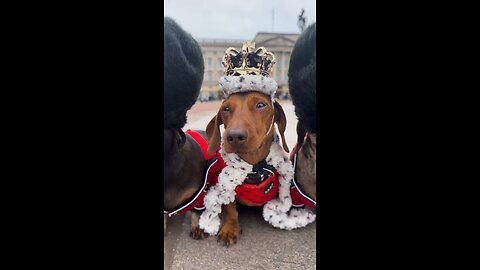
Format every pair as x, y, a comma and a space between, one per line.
228, 19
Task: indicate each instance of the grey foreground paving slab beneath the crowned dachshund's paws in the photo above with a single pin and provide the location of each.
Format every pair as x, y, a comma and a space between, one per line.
260, 247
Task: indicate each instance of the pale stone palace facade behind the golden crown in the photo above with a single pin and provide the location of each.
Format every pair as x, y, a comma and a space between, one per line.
213, 50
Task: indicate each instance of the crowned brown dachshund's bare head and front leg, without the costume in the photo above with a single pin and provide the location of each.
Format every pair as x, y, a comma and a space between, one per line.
247, 118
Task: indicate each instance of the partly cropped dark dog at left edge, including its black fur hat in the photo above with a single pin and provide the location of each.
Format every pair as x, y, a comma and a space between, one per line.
183, 161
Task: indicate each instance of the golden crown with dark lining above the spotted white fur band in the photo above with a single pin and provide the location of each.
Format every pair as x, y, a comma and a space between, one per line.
249, 61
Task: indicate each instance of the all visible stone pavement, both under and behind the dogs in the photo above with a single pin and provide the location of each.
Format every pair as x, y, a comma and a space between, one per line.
260, 246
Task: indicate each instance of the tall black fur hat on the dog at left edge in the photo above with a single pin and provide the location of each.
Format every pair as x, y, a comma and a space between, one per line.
183, 69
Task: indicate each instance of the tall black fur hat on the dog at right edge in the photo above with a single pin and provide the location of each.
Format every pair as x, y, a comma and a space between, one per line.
302, 78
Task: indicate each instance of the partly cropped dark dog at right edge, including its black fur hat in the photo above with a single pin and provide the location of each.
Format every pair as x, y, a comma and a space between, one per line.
303, 90
